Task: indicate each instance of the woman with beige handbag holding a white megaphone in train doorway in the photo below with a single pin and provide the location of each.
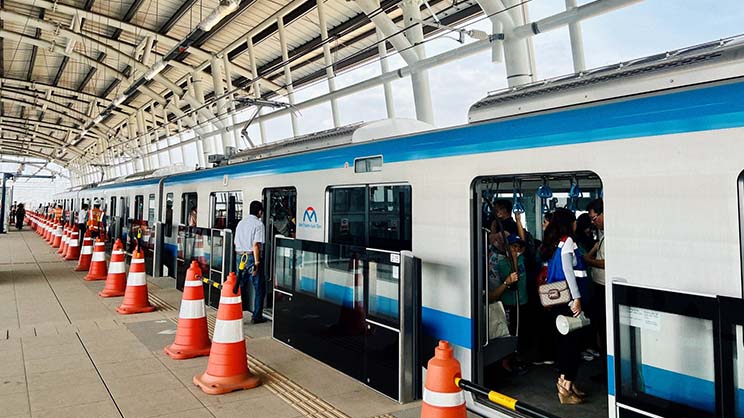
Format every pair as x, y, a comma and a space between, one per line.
562, 295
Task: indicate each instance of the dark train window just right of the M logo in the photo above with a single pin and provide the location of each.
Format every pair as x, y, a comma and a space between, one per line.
375, 216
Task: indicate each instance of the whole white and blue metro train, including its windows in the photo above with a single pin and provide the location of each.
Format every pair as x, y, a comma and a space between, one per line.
661, 139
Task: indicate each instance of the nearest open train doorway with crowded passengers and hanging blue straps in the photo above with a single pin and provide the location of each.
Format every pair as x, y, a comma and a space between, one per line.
515, 336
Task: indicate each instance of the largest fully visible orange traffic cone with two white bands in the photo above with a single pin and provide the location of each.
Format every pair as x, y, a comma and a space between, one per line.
227, 369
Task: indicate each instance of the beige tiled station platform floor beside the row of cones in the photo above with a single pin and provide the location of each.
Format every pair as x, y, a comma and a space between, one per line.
65, 352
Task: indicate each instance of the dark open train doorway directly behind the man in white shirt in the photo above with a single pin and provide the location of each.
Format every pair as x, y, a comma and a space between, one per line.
280, 215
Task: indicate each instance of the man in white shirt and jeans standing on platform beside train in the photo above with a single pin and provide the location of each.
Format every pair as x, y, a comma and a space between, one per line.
249, 240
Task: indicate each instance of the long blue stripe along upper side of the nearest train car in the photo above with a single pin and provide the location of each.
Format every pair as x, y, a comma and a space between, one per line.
715, 107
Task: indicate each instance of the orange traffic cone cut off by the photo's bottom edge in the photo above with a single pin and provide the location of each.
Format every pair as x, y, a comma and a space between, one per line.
442, 398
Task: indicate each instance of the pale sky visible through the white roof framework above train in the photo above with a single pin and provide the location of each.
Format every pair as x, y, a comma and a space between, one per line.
638, 30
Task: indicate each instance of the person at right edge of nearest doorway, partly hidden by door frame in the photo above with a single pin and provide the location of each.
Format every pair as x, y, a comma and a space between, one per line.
595, 259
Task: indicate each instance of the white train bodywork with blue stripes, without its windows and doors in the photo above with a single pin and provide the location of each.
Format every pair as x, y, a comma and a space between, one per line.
667, 144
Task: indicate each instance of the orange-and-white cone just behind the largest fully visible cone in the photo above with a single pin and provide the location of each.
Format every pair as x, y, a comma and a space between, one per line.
192, 335
